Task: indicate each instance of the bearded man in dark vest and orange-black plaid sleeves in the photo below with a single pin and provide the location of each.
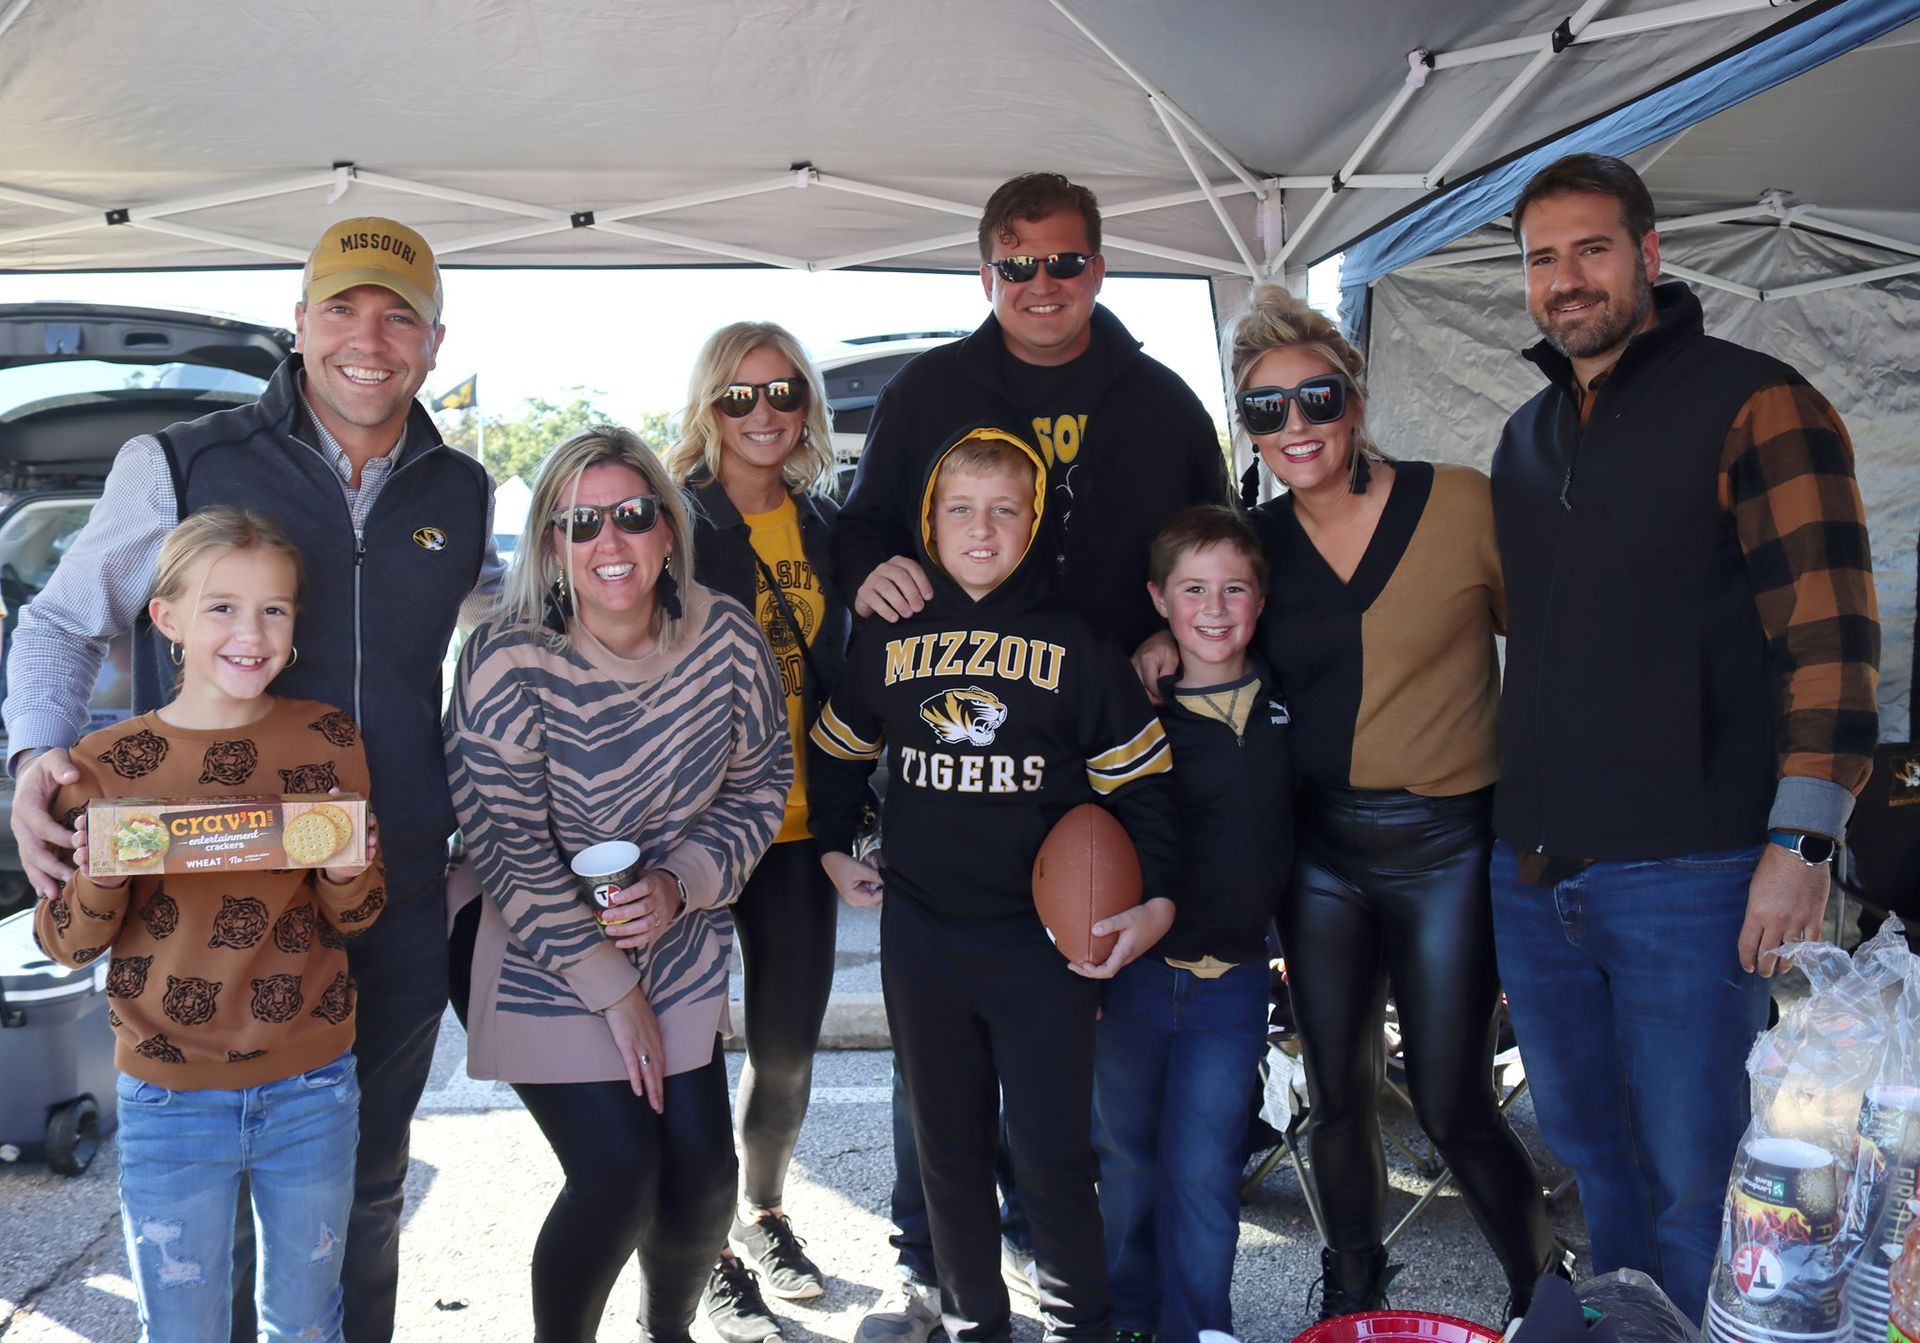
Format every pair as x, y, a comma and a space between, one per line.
1687, 720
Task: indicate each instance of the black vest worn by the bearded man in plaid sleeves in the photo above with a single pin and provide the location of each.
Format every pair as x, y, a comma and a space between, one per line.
1639, 714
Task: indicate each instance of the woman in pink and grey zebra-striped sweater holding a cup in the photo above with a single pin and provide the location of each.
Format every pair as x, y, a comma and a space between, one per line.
613, 698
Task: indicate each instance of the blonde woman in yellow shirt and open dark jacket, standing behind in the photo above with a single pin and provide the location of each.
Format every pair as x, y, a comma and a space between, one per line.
757, 460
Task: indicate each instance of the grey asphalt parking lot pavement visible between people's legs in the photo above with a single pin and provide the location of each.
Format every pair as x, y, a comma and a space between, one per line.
483, 1179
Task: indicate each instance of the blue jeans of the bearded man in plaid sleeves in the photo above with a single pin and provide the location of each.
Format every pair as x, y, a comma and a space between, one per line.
1635, 1021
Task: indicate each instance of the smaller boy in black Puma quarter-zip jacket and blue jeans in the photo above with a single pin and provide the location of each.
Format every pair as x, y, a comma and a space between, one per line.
1184, 1029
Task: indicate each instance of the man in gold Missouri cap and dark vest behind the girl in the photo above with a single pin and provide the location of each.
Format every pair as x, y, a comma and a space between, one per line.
348, 462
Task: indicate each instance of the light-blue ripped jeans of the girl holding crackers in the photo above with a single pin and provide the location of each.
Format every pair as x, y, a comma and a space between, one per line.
181, 1161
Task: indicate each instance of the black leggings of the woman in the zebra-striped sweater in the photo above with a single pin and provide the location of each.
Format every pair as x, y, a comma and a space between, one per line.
660, 1184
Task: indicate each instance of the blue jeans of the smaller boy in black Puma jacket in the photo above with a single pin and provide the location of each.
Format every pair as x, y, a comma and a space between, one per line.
1176, 1065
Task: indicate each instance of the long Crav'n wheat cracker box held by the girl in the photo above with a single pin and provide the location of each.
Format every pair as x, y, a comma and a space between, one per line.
133, 837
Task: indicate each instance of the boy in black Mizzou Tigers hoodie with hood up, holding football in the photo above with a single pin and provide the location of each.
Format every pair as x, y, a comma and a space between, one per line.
999, 710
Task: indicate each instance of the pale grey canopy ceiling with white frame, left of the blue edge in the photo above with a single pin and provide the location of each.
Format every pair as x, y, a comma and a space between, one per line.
489, 124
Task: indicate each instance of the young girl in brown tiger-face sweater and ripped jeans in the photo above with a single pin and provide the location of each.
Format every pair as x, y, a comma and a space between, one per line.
233, 1006
